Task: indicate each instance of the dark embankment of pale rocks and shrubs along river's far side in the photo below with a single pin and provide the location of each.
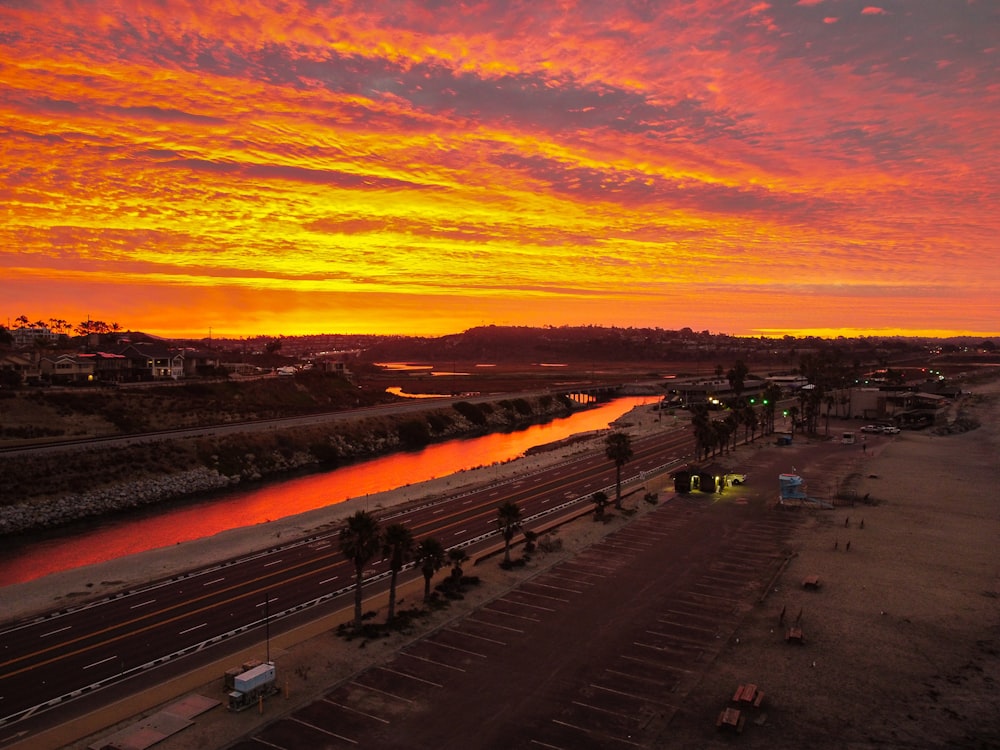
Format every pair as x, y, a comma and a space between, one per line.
149, 473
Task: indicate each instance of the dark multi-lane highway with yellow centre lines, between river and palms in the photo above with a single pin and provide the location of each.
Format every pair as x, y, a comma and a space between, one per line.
50, 662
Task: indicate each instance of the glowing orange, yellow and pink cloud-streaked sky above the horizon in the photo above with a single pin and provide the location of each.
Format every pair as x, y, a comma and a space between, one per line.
807, 167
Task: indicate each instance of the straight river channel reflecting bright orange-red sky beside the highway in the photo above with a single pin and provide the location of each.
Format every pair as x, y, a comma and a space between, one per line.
110, 539
